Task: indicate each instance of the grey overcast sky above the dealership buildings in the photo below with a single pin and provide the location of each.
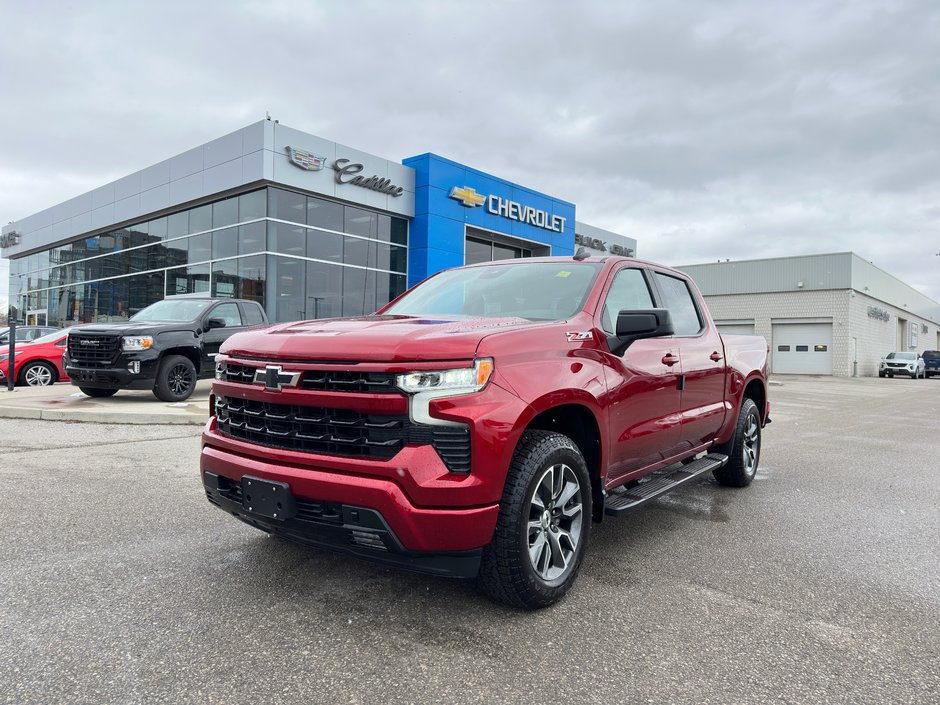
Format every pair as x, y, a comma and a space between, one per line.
704, 130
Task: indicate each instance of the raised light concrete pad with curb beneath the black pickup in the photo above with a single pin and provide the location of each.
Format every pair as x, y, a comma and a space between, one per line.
65, 402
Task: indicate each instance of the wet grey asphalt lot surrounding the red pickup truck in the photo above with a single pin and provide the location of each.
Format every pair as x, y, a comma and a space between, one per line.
820, 583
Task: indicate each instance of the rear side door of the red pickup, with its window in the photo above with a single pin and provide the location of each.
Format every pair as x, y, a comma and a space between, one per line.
703, 363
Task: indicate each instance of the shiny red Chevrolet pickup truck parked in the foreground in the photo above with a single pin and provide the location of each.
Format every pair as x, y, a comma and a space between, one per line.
478, 424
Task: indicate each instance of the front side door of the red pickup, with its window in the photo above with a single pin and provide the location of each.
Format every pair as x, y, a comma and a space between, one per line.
642, 383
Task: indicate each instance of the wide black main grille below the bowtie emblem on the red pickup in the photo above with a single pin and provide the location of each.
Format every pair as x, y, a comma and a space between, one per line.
337, 432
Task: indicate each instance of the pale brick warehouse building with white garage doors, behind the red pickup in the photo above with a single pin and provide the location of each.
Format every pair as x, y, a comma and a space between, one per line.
830, 314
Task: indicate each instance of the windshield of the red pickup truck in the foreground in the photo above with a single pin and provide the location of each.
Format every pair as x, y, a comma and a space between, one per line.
538, 291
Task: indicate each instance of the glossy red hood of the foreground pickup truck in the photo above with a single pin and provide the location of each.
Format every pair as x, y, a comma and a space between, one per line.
373, 338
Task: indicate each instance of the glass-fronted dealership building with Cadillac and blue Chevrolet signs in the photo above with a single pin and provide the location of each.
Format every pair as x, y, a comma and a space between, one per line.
307, 227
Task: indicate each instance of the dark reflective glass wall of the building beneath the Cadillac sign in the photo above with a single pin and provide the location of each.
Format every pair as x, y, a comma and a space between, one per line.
299, 256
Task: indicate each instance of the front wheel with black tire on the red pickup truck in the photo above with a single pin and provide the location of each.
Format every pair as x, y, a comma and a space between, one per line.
520, 567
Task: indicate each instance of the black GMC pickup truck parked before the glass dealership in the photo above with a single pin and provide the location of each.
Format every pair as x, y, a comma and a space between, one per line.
165, 347
